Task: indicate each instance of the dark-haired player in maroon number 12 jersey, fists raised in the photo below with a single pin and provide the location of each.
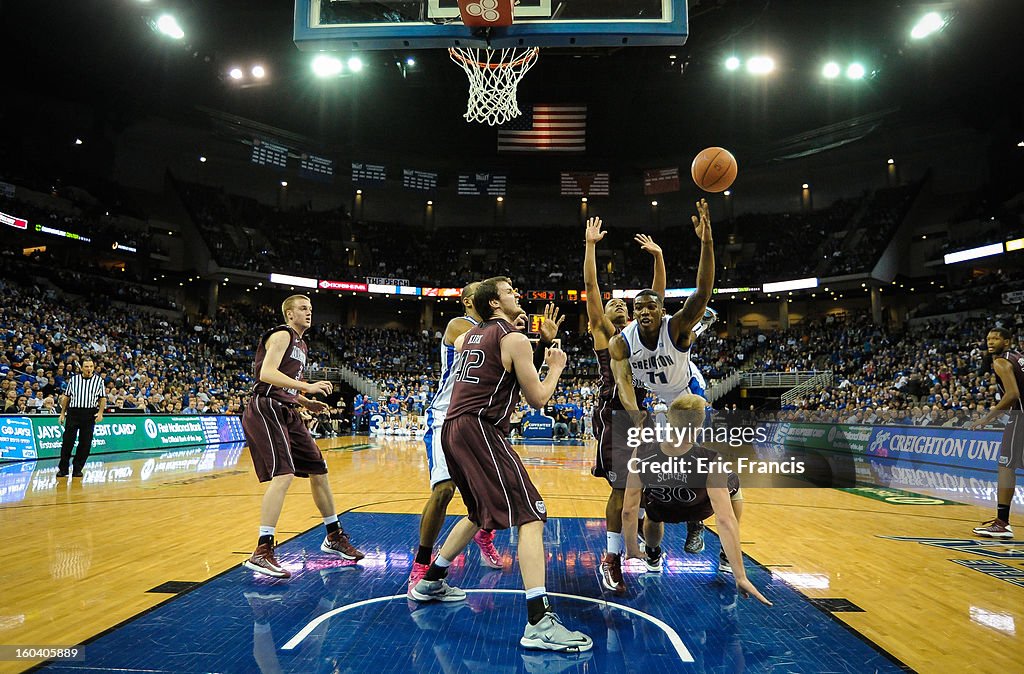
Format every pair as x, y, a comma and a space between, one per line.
496, 364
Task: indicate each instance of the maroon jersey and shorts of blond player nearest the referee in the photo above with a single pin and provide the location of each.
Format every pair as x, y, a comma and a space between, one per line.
279, 442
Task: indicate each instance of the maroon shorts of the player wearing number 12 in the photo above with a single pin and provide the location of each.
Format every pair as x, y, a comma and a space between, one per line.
494, 484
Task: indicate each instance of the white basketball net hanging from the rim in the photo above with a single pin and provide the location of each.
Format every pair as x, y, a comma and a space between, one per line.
494, 81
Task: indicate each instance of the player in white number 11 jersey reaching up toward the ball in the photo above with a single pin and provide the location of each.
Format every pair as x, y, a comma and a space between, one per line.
654, 352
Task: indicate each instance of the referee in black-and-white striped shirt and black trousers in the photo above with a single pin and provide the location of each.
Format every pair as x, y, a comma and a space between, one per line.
82, 406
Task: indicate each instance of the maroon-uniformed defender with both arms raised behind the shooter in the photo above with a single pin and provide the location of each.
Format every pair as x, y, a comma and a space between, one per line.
606, 323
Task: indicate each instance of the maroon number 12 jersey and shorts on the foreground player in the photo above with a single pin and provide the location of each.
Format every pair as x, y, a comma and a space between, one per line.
490, 475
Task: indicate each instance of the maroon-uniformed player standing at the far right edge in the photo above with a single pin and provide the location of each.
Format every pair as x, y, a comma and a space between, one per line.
1009, 368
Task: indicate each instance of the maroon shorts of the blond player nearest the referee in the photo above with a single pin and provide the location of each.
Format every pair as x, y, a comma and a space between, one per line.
279, 443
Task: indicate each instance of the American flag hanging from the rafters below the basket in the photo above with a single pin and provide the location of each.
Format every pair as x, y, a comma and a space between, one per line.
546, 129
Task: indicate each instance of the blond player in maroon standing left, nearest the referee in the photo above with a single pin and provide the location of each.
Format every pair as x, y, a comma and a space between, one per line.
280, 444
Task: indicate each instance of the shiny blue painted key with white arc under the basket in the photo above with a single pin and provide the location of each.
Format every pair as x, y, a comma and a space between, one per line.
339, 617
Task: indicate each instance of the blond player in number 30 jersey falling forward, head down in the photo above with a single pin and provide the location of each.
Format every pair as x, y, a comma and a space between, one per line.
677, 483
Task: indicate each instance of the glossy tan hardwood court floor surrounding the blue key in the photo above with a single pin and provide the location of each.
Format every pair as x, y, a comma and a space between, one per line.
88, 558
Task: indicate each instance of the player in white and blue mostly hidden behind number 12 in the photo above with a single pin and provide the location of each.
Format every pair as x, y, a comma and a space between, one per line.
442, 487
